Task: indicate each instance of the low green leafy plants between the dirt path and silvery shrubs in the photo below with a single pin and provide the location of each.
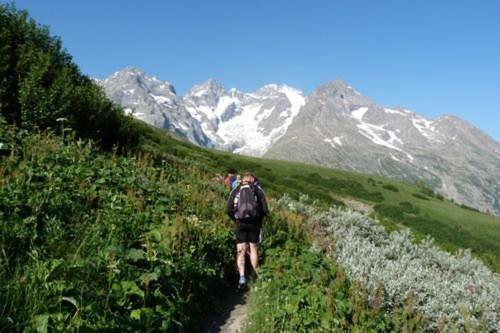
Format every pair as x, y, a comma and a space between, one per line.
300, 290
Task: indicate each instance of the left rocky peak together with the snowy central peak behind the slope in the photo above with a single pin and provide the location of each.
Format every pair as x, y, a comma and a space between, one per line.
208, 115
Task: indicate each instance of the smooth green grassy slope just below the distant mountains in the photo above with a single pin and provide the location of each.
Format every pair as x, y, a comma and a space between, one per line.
452, 226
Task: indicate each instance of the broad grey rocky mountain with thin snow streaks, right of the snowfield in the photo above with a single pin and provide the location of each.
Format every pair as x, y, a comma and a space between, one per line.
340, 128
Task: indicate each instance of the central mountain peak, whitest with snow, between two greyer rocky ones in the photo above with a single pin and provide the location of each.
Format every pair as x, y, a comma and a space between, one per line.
245, 123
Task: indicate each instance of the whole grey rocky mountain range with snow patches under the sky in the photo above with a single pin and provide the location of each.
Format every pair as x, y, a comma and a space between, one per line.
334, 126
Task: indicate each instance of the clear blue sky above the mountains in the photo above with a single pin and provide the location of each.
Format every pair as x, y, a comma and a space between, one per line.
433, 57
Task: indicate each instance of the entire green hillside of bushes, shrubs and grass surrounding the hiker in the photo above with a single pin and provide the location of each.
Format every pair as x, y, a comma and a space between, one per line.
109, 224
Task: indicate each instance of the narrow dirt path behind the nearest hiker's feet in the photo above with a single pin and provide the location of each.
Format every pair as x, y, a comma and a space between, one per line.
231, 317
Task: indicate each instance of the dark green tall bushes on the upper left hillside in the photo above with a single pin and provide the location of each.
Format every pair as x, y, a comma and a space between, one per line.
39, 84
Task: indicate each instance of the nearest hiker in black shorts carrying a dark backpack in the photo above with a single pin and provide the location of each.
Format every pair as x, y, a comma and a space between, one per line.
247, 206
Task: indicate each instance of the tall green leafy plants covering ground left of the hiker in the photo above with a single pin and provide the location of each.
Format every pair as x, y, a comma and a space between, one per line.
105, 242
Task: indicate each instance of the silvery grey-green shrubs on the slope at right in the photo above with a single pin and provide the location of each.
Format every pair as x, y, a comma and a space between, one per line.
455, 293
